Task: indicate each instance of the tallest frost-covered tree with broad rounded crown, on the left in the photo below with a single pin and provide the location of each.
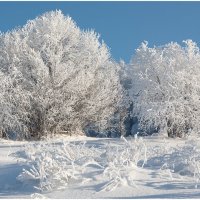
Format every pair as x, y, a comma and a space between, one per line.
61, 78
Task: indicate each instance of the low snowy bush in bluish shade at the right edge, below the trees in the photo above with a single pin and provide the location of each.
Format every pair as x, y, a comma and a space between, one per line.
177, 162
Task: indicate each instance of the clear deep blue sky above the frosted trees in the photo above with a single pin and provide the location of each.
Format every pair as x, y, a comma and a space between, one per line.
122, 25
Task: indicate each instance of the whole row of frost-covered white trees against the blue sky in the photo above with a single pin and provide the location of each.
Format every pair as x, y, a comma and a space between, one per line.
57, 78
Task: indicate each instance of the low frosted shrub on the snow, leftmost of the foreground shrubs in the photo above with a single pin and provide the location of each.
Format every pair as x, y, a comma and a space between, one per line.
50, 166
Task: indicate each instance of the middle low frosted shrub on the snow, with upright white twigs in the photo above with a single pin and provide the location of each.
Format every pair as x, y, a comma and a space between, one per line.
123, 162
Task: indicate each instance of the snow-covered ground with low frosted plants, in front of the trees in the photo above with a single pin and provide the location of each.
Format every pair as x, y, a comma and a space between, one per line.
82, 167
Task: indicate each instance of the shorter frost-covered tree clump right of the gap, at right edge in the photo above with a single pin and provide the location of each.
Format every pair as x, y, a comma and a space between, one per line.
166, 88
